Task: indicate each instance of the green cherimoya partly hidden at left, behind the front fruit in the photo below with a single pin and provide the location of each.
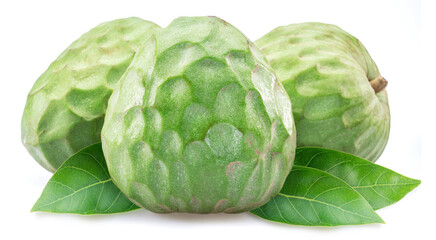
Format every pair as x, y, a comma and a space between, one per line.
66, 106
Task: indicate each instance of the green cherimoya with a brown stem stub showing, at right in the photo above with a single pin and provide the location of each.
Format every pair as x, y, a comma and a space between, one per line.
326, 73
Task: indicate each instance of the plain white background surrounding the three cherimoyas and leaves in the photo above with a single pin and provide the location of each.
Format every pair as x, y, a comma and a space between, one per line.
396, 33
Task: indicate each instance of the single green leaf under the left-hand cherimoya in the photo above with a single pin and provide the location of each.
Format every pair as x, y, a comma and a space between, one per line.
82, 185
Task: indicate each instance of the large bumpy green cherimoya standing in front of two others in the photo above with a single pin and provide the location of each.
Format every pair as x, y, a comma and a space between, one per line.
199, 123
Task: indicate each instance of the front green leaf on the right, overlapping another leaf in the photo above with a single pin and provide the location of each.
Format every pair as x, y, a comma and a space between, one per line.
312, 197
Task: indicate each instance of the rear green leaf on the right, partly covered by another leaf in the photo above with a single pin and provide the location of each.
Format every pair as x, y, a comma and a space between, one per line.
378, 185
